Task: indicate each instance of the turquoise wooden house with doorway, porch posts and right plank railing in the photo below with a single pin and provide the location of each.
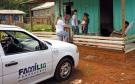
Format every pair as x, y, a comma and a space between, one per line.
105, 17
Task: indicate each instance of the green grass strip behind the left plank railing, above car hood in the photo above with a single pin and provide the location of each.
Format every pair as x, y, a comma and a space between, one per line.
39, 27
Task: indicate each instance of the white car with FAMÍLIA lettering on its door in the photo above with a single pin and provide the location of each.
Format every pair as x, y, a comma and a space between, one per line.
26, 59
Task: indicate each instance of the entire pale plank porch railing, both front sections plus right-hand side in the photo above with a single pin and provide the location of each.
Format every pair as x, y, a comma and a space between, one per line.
117, 43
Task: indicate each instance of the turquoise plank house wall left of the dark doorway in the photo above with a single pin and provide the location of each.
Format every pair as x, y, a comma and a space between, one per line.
89, 6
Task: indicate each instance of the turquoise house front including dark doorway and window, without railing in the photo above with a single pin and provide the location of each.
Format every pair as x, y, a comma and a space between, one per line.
105, 15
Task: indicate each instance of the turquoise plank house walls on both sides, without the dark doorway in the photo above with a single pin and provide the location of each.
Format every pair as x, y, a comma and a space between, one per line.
92, 7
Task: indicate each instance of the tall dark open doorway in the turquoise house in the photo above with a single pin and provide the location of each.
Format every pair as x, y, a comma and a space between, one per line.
106, 17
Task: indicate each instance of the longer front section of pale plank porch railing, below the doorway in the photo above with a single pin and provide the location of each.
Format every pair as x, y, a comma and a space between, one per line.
99, 41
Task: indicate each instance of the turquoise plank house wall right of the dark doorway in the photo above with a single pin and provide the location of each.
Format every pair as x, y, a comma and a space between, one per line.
129, 14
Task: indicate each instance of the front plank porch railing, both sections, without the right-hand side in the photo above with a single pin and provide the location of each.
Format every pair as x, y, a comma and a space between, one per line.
97, 41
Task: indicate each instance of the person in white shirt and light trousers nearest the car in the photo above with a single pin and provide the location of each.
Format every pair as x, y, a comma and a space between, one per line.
61, 34
